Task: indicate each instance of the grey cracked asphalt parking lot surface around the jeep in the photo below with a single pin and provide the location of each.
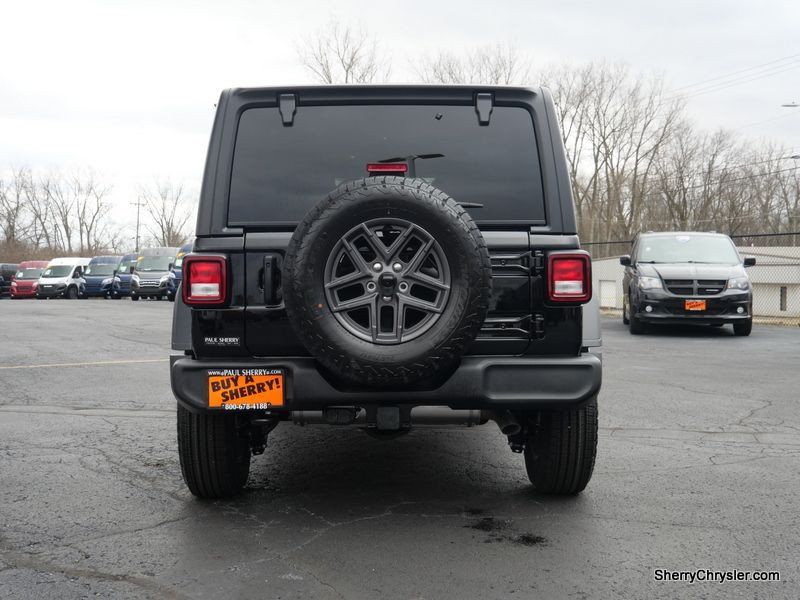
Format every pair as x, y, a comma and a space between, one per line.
697, 467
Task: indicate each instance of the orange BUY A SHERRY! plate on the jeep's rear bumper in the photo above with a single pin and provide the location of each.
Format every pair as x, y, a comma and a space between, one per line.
245, 388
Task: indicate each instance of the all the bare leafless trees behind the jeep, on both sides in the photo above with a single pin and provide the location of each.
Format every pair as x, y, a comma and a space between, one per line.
636, 159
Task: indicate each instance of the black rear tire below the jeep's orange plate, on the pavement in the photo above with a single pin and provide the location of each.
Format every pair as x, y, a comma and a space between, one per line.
214, 453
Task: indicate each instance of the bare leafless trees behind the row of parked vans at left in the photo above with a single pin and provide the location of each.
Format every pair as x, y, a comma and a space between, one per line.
68, 214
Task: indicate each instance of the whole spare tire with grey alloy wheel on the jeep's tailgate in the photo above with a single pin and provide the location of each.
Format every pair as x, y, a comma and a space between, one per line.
386, 281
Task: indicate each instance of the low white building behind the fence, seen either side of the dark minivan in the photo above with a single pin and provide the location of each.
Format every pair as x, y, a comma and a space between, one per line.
775, 279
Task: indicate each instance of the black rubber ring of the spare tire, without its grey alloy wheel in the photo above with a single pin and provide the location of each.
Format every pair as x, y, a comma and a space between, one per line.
315, 238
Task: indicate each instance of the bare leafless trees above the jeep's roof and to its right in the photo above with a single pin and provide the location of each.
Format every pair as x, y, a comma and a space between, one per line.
636, 159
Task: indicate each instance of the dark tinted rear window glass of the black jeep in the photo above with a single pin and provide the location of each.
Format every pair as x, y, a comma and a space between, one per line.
279, 172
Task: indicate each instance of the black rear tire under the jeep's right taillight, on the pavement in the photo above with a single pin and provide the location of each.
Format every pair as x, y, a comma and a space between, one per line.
560, 449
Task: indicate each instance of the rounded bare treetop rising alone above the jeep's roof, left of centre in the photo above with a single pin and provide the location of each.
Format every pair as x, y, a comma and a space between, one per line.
340, 53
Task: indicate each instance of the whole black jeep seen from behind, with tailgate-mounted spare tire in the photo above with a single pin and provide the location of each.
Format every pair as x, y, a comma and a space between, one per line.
385, 257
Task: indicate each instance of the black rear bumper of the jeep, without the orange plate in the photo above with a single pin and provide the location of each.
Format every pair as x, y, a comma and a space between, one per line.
480, 382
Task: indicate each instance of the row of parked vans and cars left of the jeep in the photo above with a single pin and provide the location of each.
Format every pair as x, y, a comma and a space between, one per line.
151, 273
